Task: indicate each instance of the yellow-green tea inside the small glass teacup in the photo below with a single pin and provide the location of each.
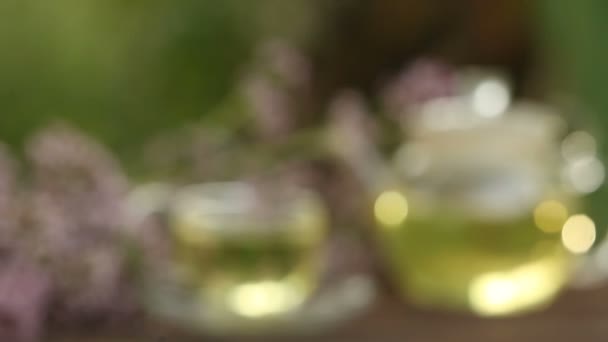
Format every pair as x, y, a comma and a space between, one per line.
248, 265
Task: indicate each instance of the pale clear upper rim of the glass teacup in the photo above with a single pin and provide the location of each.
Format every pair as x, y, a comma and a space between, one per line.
241, 206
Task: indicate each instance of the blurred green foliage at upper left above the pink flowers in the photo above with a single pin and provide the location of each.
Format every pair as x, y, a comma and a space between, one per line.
126, 69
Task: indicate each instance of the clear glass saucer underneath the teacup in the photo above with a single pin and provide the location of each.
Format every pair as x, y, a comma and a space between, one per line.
345, 292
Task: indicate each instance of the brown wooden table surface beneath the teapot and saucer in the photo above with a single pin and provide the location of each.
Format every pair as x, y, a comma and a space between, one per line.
577, 316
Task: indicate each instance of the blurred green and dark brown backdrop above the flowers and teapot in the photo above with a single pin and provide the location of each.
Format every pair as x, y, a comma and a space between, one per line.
155, 65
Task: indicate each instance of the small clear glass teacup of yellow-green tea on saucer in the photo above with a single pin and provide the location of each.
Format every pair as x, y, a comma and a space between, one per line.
241, 254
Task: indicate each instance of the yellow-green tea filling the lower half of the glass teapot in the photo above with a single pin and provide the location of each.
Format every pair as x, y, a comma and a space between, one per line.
443, 258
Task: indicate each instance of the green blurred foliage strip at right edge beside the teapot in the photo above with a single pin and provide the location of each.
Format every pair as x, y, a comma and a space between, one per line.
574, 34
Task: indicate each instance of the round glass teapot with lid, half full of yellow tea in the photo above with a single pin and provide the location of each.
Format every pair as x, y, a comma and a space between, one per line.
484, 212
